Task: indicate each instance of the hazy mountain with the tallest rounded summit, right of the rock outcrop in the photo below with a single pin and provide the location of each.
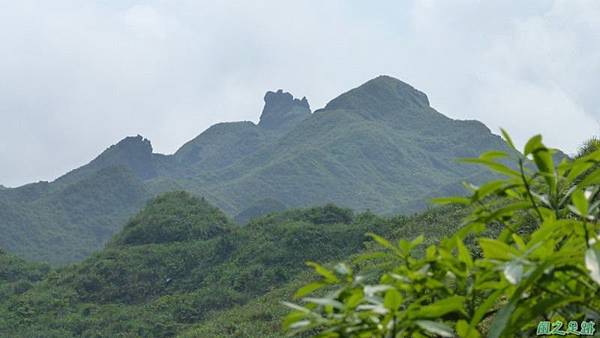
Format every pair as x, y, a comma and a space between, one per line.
376, 147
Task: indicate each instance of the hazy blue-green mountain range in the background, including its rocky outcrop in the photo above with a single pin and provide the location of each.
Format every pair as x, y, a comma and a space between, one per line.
378, 147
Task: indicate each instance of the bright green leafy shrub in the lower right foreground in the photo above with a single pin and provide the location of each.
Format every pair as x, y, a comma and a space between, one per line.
544, 264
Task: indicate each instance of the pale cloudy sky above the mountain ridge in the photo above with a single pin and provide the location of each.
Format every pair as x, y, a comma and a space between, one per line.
77, 76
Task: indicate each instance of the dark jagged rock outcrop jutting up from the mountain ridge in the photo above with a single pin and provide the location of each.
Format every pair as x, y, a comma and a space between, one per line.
282, 110
